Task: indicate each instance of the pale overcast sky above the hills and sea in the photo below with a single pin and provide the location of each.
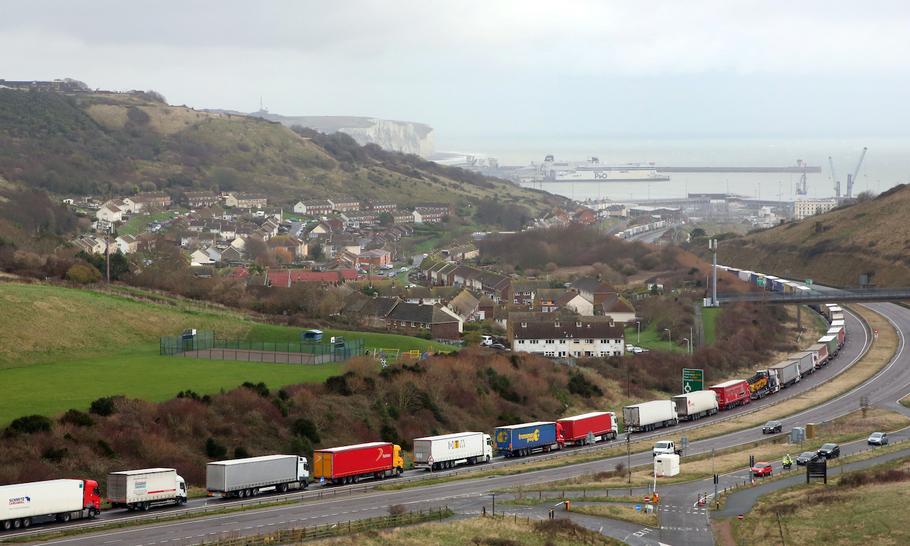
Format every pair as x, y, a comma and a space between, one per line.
491, 68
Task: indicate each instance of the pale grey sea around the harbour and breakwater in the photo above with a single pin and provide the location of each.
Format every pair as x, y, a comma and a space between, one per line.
885, 165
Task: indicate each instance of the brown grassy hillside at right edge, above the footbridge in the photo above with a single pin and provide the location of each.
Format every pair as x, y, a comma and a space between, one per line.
870, 238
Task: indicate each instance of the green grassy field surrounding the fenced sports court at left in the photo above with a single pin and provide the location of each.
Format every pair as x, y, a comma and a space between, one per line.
63, 348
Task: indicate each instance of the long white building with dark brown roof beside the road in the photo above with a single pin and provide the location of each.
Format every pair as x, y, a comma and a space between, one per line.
579, 337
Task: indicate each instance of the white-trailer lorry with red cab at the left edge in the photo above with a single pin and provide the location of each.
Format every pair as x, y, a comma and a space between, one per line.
22, 504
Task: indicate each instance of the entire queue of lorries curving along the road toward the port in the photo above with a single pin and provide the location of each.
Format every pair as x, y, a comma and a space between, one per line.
66, 499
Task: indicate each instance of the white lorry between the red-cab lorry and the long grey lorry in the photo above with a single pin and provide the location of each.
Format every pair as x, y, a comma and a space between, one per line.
142, 489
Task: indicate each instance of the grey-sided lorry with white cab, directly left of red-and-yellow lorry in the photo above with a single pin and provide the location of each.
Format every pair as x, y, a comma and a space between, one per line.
246, 477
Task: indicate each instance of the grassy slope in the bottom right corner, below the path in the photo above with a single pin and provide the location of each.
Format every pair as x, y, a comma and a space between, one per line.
859, 508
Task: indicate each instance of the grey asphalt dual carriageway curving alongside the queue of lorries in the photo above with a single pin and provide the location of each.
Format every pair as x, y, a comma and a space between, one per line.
682, 522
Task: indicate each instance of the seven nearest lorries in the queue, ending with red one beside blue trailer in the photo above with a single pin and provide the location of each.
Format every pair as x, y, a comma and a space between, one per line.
66, 499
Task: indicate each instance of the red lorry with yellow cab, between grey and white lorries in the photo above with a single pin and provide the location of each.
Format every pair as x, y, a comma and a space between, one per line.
348, 464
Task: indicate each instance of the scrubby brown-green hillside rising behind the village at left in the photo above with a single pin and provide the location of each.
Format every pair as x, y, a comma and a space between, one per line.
105, 144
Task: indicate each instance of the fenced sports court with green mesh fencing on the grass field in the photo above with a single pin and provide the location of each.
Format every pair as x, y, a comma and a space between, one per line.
206, 345
